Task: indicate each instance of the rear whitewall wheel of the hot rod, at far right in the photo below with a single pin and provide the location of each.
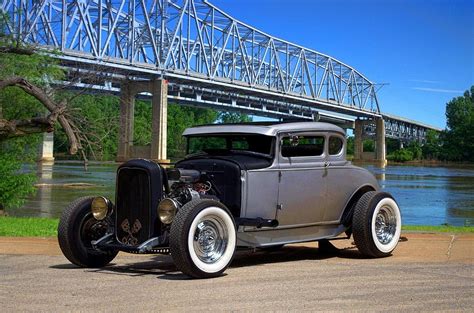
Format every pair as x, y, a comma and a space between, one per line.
376, 224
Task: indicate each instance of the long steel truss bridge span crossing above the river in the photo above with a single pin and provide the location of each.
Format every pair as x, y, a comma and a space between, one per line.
209, 58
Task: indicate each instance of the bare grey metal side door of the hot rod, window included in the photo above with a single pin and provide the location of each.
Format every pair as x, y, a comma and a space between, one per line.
302, 181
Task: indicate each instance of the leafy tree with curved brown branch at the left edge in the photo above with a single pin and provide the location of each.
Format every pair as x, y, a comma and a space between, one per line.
22, 68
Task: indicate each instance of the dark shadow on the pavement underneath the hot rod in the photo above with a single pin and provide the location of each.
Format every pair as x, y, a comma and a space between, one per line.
162, 266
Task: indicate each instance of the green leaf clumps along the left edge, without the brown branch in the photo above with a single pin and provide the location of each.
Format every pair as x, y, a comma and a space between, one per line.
15, 104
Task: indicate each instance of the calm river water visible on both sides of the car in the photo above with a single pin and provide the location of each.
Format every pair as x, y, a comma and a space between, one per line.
426, 195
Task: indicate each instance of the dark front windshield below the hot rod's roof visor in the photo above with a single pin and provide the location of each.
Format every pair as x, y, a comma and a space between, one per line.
225, 143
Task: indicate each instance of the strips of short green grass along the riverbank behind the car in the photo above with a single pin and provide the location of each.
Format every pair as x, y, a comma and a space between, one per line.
47, 227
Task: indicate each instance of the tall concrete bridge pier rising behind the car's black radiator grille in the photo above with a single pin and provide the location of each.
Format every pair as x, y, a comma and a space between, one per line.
157, 150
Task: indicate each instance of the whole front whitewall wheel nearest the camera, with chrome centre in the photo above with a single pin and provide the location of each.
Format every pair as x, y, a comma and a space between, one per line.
203, 238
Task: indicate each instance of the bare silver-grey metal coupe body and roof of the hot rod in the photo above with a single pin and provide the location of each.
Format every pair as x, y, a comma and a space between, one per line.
308, 195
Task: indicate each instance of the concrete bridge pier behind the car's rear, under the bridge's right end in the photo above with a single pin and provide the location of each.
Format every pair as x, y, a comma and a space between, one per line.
360, 133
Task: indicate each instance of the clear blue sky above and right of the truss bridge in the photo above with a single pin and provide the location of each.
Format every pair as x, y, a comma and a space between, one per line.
424, 50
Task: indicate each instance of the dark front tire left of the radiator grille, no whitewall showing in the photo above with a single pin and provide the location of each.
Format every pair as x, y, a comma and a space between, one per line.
77, 228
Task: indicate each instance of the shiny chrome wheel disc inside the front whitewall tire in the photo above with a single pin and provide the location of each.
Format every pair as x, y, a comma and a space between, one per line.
210, 239
